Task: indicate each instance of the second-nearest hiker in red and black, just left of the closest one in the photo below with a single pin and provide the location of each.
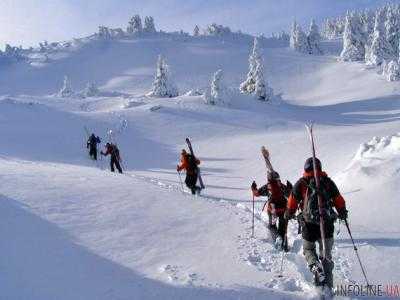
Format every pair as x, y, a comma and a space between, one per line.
275, 207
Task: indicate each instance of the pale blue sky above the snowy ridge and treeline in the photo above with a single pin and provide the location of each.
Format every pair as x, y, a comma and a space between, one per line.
28, 22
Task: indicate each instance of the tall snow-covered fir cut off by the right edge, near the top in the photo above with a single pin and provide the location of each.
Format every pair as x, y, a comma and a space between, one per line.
392, 31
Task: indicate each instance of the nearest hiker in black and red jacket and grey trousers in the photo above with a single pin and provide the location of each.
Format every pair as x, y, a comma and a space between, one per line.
305, 196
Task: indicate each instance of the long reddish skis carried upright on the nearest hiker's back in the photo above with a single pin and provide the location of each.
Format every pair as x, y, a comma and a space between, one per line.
317, 184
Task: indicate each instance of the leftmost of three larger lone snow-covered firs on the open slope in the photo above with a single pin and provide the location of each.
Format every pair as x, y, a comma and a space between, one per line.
163, 86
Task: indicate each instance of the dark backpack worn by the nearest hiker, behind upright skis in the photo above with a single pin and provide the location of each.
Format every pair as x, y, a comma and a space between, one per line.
310, 203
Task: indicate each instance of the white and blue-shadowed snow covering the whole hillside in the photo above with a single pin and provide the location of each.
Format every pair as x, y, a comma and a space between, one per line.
73, 230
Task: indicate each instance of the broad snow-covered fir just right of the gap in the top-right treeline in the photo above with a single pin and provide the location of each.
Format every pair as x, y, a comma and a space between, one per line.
353, 40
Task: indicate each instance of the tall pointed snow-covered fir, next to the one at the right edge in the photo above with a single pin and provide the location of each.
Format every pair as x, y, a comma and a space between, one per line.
380, 49
